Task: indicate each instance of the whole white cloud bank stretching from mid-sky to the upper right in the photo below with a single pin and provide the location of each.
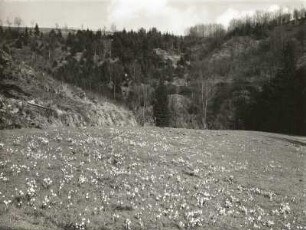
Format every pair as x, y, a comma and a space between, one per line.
177, 15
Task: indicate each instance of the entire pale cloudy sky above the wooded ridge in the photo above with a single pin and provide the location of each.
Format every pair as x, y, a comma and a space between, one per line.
166, 15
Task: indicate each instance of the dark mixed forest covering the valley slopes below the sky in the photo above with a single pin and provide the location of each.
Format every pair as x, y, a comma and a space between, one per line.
249, 76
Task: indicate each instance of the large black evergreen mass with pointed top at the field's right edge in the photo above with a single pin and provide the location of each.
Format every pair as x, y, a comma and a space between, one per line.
279, 106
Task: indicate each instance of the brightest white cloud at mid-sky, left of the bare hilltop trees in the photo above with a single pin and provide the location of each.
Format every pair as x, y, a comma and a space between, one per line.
134, 14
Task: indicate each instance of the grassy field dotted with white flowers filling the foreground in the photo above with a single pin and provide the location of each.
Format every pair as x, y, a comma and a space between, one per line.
151, 178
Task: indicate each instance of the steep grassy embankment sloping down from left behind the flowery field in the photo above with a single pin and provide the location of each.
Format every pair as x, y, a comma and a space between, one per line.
31, 98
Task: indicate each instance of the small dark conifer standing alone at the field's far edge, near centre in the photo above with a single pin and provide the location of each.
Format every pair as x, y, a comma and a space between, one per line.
160, 106
